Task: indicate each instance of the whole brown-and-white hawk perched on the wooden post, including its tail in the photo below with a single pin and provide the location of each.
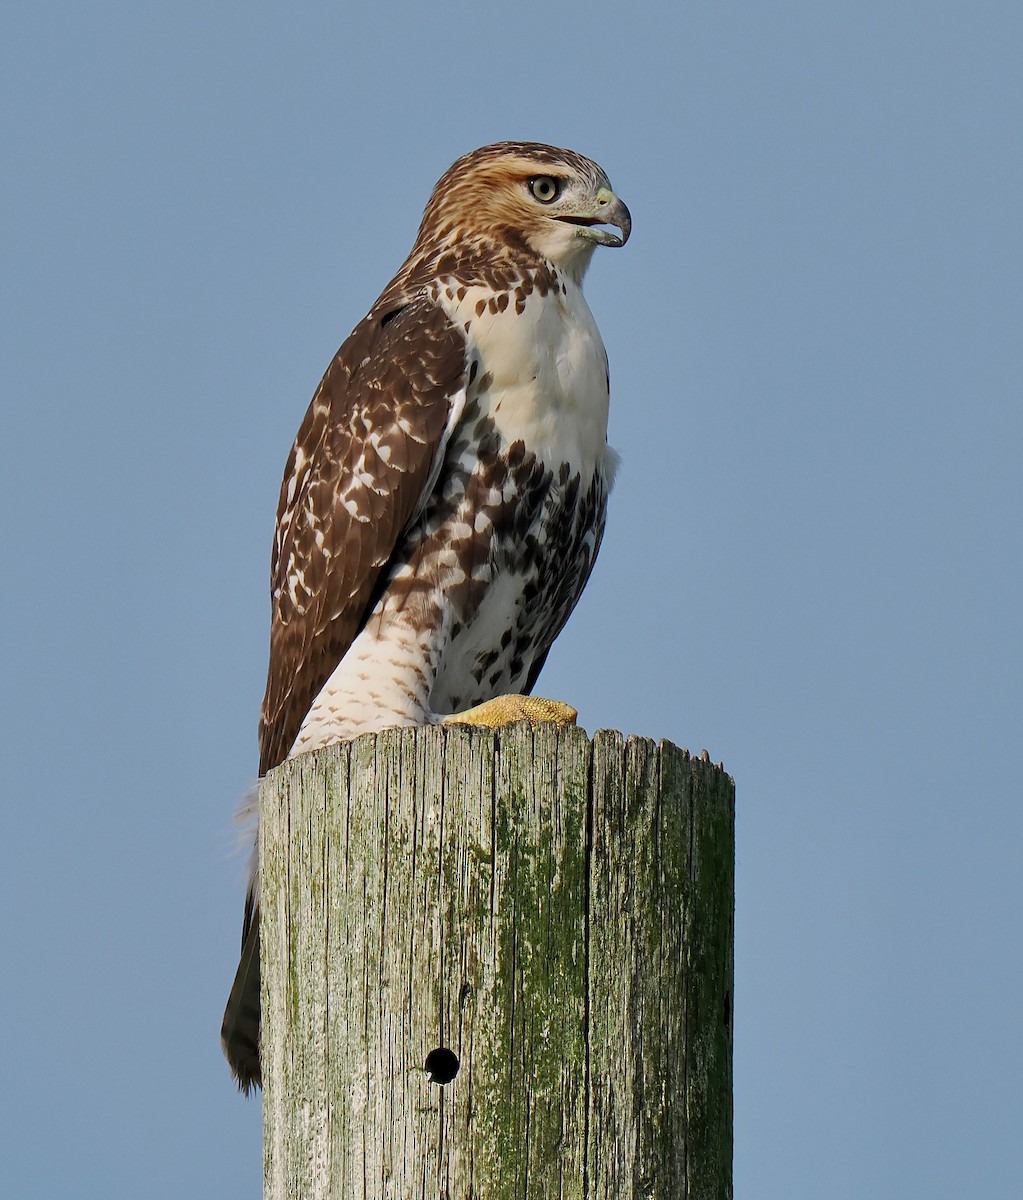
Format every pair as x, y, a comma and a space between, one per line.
445, 499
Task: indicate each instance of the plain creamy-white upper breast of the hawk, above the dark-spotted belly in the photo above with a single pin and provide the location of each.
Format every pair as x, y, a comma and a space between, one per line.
547, 371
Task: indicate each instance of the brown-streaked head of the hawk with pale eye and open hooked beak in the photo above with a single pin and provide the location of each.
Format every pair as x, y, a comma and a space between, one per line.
525, 197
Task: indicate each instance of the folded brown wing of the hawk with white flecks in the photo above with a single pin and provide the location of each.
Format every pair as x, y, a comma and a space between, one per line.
355, 478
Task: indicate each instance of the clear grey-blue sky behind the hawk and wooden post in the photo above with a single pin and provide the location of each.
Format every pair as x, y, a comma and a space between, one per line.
812, 566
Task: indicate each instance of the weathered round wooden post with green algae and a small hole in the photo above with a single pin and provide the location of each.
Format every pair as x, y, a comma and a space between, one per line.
542, 921
